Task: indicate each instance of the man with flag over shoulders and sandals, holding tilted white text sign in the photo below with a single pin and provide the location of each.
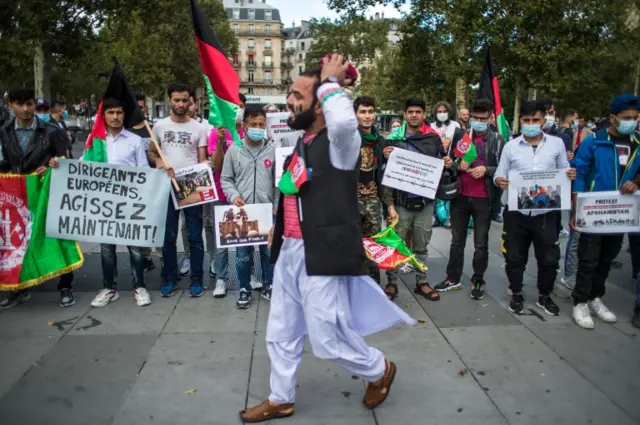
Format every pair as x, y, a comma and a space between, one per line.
414, 211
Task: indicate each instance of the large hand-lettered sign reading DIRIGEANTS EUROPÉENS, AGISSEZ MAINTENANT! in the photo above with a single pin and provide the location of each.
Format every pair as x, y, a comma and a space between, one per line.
113, 204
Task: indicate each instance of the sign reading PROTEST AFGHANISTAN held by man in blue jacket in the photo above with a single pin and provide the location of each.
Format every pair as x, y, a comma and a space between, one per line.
608, 212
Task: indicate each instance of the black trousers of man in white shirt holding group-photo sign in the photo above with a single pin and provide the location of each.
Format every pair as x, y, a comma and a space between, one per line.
519, 232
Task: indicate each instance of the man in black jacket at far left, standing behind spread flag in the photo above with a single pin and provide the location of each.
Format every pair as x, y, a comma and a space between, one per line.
28, 144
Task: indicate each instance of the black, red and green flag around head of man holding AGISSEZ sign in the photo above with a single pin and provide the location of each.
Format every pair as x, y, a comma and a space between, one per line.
95, 149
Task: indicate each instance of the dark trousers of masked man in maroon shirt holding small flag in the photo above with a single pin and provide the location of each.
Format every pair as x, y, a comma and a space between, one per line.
461, 209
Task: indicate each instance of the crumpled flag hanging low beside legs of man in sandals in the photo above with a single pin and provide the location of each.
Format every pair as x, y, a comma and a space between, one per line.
389, 251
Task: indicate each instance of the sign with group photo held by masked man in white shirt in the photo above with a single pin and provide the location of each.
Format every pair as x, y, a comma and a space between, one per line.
543, 190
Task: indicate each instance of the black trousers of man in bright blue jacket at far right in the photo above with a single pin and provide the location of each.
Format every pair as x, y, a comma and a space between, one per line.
595, 255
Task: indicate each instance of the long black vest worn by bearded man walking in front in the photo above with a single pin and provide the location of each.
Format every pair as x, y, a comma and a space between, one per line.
330, 219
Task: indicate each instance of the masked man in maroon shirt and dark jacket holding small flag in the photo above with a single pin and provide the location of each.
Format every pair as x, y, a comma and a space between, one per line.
476, 159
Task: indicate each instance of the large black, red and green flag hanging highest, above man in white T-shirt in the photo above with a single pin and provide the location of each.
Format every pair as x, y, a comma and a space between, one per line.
220, 78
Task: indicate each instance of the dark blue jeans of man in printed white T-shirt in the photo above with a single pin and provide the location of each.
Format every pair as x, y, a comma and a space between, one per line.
193, 218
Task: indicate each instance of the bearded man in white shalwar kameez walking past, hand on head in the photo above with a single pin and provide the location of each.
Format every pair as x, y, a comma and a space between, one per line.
320, 286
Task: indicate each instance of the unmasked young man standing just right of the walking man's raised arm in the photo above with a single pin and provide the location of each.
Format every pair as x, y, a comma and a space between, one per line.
370, 162
